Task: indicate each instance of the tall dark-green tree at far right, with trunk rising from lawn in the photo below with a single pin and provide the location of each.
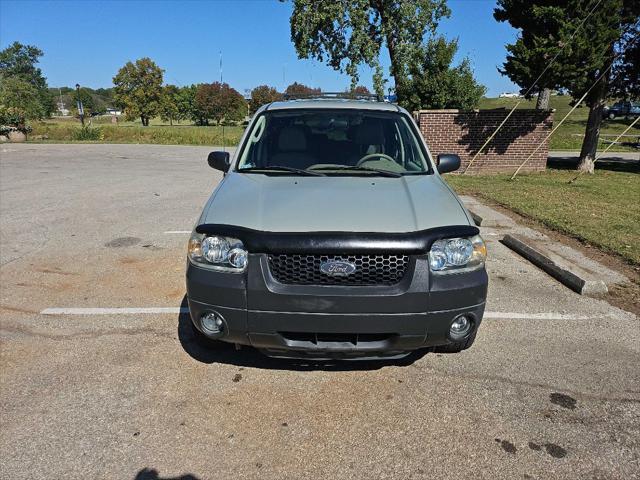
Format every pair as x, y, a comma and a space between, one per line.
592, 56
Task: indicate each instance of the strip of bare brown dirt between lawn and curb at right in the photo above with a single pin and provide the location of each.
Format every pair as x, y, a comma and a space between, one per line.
626, 297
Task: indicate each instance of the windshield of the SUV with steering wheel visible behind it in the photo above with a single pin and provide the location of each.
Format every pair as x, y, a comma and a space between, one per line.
339, 142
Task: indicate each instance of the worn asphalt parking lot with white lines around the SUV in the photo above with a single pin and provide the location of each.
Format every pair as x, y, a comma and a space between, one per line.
112, 384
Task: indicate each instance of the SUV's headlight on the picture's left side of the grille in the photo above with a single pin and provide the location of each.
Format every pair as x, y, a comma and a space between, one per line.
218, 253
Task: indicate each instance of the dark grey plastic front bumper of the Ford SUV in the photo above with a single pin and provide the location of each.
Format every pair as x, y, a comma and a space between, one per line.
336, 321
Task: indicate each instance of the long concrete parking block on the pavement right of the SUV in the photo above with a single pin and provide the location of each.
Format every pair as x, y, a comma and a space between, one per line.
574, 280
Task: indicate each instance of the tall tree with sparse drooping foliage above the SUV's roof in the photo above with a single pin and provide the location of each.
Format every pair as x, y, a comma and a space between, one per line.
350, 33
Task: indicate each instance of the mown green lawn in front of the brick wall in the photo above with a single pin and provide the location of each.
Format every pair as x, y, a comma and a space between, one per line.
601, 209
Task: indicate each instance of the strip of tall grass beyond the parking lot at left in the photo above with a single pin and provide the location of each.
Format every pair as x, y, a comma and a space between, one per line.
64, 130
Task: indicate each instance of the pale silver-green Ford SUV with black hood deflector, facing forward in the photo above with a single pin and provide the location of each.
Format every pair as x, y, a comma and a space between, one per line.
333, 235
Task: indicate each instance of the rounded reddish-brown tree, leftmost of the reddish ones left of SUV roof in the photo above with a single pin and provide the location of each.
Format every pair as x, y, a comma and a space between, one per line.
218, 101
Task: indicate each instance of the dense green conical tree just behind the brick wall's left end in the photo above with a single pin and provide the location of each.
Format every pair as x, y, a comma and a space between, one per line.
433, 83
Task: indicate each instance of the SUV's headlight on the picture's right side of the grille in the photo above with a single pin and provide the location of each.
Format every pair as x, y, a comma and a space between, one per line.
457, 254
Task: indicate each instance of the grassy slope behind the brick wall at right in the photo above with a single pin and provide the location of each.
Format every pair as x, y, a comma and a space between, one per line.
570, 134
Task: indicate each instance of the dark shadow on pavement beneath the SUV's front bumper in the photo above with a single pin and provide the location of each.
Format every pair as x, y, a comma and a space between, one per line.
226, 353
